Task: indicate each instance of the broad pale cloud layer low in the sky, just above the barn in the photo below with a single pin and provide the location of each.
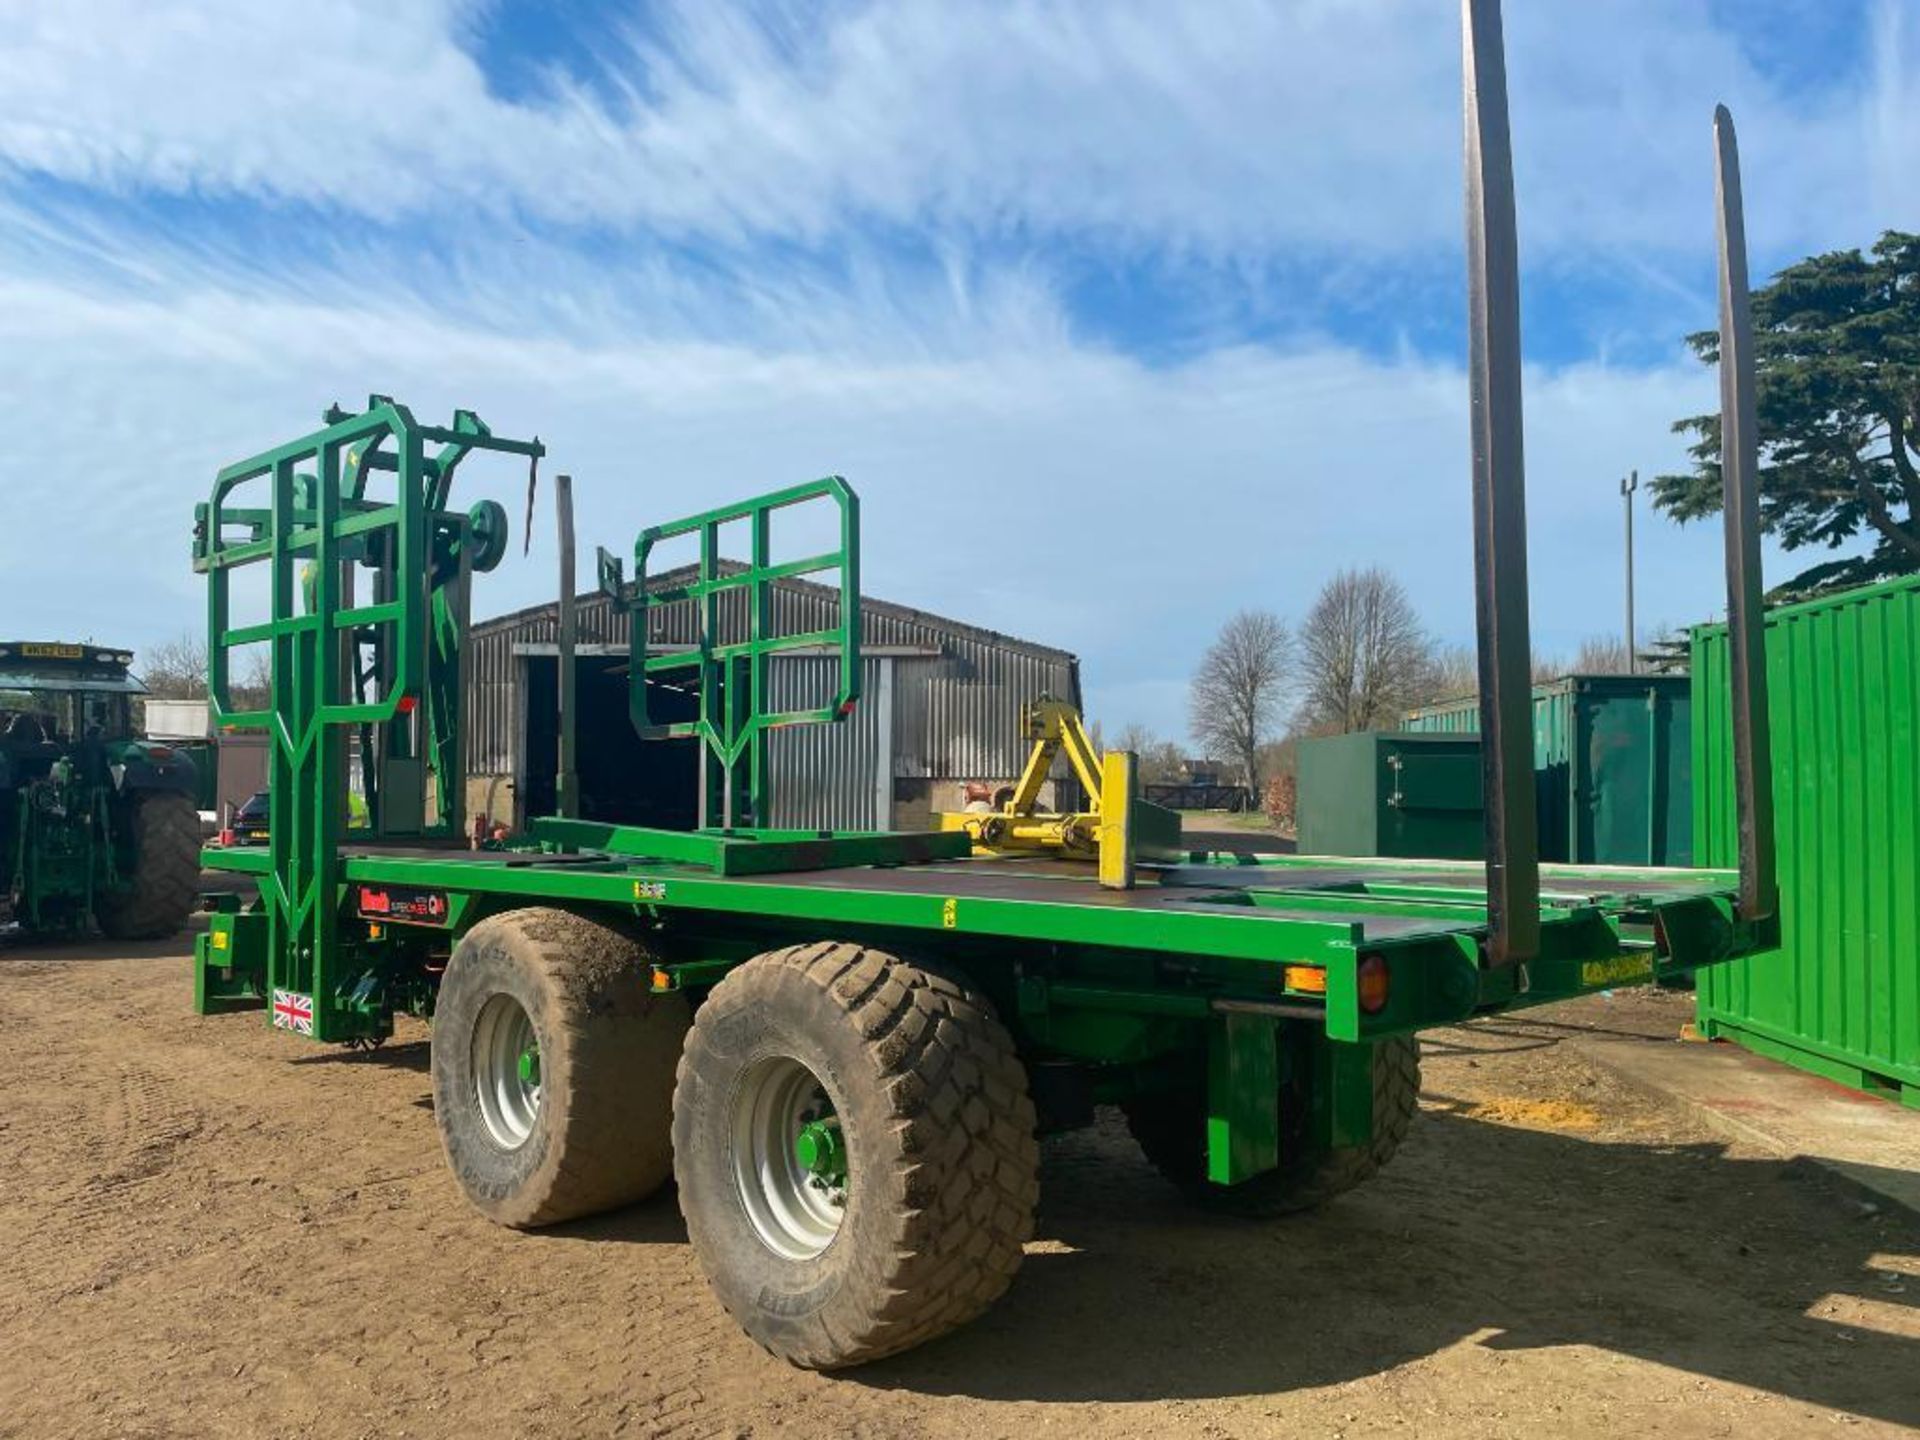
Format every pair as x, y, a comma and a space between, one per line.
1236, 481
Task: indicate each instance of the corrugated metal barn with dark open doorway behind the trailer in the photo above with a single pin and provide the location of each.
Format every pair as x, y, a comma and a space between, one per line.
940, 711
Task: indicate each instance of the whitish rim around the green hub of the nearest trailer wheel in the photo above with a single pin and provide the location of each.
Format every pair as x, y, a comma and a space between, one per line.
794, 1211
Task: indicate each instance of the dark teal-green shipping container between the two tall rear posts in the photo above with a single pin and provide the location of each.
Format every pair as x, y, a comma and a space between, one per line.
1612, 765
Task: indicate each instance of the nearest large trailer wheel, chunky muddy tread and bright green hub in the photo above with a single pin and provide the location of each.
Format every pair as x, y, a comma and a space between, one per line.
855, 1153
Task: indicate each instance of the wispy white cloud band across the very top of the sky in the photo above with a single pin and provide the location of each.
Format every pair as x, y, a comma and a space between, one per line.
1218, 130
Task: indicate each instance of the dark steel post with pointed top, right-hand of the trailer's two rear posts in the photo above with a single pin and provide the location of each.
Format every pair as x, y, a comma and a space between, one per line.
1746, 617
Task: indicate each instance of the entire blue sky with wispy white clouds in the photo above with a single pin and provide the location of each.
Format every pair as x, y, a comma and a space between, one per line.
1122, 316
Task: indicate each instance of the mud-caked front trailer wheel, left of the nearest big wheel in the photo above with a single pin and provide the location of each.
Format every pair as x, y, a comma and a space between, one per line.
554, 1068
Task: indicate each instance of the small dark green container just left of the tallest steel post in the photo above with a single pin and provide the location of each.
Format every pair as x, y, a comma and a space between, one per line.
1391, 794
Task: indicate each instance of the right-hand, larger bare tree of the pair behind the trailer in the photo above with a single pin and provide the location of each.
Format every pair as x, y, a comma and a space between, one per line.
1364, 652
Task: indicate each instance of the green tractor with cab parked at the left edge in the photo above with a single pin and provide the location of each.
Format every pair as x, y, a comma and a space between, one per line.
95, 821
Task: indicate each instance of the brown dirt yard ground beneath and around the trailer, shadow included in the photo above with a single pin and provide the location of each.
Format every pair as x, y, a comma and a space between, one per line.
216, 1232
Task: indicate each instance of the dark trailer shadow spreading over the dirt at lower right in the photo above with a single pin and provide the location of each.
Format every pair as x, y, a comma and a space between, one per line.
1508, 1237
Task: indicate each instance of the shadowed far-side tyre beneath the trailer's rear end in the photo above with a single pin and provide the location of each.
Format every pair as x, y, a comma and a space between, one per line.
1170, 1128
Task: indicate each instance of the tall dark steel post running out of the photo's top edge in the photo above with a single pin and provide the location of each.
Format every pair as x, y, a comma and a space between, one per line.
1500, 498
